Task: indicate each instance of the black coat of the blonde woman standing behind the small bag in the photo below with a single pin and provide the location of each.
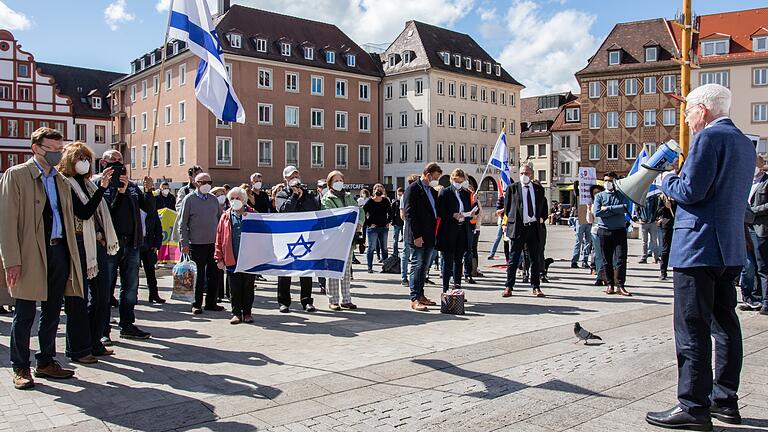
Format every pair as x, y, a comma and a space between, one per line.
449, 230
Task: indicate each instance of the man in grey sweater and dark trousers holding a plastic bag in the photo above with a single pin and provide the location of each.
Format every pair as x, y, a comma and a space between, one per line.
199, 216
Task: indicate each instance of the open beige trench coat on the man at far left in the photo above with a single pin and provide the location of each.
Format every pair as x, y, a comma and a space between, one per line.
22, 237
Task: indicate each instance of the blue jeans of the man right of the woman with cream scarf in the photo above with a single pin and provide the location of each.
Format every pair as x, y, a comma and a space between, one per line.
126, 264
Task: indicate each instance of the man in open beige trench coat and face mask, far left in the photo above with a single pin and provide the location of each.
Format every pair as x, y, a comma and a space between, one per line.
39, 253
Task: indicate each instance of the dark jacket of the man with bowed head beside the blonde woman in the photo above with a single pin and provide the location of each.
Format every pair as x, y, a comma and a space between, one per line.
420, 220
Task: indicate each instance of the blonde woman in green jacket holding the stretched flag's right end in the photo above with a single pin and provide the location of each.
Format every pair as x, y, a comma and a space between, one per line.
339, 295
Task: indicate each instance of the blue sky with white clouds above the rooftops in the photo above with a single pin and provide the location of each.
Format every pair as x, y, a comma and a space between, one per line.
542, 43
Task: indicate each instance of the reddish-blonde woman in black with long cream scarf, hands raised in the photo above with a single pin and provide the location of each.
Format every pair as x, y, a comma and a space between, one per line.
88, 317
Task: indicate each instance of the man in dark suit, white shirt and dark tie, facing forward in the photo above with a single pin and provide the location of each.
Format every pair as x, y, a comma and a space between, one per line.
526, 209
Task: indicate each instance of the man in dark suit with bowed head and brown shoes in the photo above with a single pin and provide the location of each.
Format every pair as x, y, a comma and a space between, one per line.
420, 226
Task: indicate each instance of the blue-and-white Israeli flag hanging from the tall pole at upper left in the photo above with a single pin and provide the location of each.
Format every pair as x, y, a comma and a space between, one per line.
190, 21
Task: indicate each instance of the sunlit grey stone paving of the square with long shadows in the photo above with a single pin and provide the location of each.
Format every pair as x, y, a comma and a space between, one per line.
508, 364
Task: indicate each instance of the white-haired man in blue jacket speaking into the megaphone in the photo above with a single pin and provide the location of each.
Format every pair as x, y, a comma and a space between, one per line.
708, 250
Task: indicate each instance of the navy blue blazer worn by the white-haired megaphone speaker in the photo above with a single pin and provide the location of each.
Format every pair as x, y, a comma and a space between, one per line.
710, 193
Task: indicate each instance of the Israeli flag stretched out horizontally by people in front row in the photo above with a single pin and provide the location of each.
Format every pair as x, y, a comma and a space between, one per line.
297, 244
